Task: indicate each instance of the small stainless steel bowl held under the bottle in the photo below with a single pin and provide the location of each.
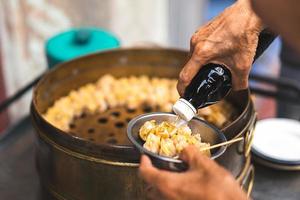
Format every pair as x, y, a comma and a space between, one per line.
208, 132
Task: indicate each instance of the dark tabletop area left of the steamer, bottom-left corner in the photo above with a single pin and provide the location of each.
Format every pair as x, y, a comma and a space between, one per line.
18, 177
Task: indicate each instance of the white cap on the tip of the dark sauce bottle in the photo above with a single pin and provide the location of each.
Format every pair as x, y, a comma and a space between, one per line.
184, 109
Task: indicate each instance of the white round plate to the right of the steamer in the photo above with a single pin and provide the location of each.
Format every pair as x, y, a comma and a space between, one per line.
277, 140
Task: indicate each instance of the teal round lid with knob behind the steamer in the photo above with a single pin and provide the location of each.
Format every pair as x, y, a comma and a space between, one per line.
78, 42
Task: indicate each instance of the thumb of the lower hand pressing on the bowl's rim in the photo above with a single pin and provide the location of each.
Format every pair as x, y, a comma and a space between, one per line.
194, 158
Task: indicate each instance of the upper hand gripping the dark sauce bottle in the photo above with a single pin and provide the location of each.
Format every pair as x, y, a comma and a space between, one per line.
229, 39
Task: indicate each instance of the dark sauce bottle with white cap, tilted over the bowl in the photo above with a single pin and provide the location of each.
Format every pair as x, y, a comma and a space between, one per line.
212, 83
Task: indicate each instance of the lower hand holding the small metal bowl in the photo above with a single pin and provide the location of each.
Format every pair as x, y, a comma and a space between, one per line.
205, 180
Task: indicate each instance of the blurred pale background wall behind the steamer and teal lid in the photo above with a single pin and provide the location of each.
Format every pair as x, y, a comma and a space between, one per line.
26, 25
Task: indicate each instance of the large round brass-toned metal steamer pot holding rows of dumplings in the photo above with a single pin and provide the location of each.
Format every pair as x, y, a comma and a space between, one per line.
72, 168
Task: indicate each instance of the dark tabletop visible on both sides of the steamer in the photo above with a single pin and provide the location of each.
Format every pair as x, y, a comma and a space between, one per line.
19, 180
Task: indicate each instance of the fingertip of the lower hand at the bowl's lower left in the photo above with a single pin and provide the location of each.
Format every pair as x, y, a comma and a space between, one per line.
151, 174
